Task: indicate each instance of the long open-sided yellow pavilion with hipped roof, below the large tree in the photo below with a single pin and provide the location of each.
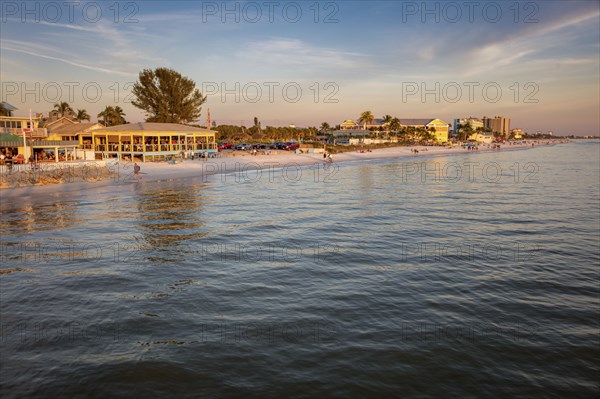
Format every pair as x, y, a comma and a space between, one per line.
148, 141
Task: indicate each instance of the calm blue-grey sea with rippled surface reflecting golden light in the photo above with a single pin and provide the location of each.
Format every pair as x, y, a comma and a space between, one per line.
463, 276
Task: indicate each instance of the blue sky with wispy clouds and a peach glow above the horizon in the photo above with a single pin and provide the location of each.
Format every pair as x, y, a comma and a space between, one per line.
308, 62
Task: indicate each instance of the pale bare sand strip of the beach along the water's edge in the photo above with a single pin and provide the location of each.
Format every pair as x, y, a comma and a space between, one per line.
241, 163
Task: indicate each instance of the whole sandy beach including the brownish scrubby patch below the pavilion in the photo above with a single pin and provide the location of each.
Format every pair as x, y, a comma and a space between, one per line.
115, 175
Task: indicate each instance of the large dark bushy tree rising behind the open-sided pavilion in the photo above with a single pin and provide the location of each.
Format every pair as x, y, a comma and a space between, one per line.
167, 96
